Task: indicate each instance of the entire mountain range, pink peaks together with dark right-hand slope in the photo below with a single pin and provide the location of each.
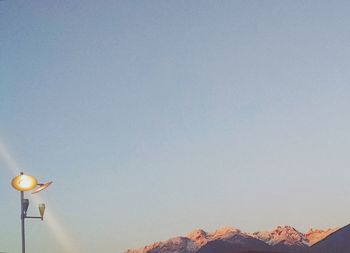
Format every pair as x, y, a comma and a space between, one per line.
284, 239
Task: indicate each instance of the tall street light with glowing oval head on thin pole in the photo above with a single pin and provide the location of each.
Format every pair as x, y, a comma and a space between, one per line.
23, 183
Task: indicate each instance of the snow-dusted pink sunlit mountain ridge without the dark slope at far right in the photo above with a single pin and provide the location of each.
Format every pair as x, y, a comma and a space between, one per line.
229, 239
